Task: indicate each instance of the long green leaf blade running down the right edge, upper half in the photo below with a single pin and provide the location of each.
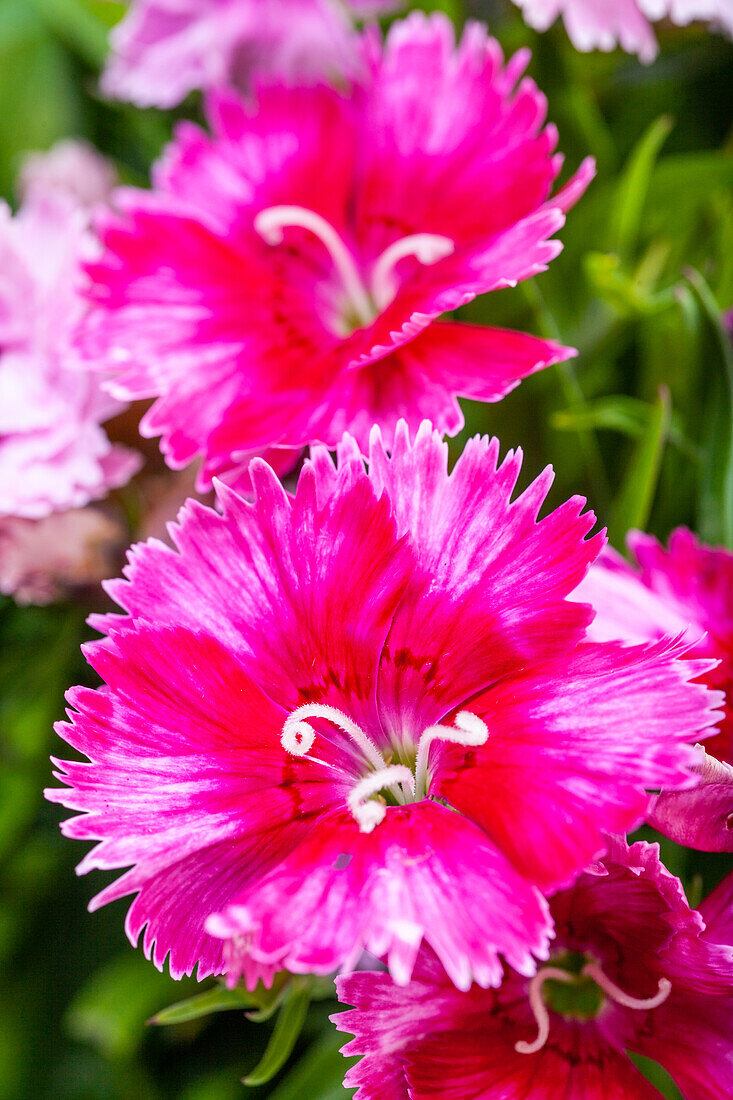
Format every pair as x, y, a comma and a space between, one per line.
717, 483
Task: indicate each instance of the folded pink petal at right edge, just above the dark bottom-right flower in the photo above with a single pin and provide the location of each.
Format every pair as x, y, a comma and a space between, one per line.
703, 818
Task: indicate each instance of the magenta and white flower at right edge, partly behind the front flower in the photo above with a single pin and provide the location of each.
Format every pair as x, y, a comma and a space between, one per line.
686, 589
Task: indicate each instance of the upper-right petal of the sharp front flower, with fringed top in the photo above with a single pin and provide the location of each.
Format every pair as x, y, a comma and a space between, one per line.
490, 596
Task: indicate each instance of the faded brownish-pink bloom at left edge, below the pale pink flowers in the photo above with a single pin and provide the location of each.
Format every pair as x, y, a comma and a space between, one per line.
42, 560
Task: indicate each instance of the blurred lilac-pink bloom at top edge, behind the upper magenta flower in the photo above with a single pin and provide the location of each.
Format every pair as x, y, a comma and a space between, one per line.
166, 49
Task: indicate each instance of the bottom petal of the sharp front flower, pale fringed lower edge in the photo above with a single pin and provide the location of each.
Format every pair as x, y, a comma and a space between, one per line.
423, 874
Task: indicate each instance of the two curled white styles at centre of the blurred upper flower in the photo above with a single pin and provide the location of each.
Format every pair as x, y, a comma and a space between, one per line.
365, 301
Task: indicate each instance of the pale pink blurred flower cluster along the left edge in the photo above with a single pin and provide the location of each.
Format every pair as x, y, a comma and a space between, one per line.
54, 455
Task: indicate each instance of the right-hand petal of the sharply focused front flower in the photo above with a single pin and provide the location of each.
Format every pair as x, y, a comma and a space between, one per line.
573, 745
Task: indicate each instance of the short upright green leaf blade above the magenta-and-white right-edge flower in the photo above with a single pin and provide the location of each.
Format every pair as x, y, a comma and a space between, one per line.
634, 501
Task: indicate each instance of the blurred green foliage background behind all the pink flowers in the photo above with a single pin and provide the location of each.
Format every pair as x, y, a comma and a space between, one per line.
641, 423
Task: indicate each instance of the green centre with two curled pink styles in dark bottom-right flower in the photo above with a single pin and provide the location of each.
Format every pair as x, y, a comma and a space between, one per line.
578, 989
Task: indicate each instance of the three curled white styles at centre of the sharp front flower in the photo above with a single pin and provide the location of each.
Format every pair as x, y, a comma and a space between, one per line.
366, 801
